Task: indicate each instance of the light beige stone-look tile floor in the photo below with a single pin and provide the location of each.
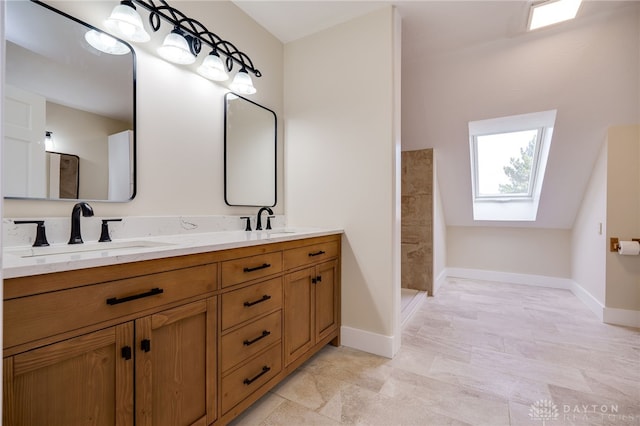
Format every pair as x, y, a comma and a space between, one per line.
479, 353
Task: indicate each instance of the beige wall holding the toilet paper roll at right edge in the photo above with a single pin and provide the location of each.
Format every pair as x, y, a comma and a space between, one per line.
623, 213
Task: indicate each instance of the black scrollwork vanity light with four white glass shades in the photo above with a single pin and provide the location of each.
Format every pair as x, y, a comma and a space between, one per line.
184, 43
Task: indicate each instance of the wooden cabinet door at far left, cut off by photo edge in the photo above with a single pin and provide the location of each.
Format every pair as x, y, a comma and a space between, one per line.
87, 380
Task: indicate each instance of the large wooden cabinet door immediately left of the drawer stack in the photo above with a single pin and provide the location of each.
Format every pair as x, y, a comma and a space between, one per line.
175, 366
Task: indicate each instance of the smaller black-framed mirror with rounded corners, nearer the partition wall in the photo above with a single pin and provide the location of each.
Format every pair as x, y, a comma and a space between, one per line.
249, 153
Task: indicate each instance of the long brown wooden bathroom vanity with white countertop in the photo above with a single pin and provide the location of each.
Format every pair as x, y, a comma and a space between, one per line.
166, 335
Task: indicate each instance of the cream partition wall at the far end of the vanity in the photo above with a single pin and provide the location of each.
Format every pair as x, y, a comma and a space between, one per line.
341, 159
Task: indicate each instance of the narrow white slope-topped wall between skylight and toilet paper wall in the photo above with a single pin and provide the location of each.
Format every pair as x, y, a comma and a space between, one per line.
588, 237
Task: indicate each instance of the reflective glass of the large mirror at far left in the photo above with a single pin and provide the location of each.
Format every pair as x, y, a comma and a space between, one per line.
57, 83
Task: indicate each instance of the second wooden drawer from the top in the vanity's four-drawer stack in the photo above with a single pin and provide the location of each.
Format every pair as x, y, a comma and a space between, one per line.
250, 302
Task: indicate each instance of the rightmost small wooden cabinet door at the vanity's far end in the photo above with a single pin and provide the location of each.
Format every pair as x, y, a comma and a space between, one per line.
326, 303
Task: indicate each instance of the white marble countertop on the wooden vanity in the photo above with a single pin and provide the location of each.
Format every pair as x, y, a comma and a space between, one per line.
26, 261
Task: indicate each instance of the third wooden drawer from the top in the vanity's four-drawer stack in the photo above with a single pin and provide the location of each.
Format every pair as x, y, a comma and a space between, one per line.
247, 341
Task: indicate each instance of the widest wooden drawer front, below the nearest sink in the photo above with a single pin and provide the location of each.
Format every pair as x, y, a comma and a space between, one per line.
34, 317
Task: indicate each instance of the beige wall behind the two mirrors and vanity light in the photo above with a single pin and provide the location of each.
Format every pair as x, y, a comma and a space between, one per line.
180, 119
